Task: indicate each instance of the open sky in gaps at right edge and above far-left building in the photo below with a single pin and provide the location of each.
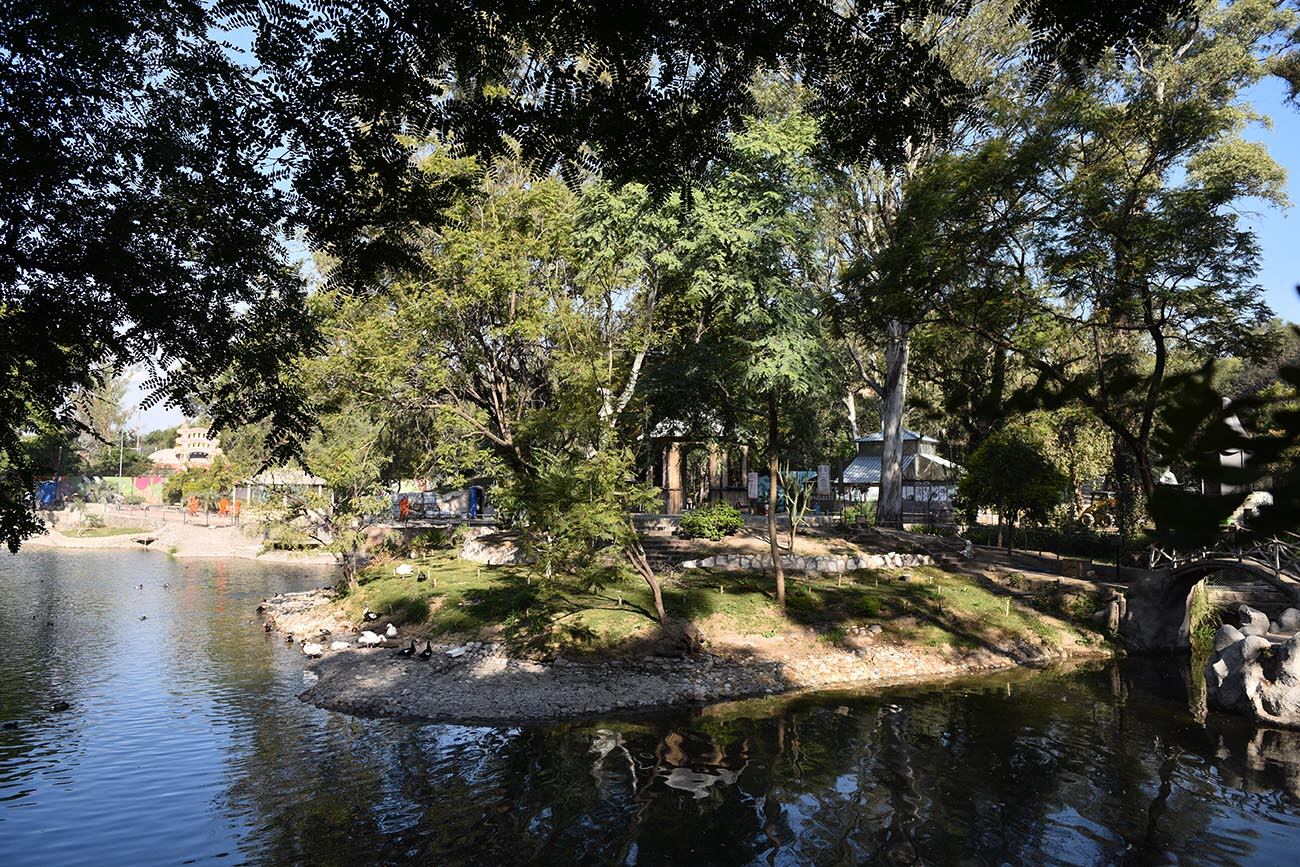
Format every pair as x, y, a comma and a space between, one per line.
1277, 229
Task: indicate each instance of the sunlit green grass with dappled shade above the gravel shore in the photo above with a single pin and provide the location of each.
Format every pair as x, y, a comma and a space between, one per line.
462, 600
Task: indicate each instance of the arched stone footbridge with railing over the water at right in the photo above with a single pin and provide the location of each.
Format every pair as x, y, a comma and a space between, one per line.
1156, 609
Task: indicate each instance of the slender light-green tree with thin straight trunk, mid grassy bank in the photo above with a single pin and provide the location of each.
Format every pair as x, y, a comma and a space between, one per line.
749, 324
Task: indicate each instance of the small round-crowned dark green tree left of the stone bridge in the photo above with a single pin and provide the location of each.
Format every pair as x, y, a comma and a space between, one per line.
1011, 474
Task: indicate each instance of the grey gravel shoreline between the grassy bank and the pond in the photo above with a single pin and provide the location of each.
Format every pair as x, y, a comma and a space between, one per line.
480, 683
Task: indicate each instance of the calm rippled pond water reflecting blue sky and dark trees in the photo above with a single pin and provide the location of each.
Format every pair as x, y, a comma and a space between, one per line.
187, 744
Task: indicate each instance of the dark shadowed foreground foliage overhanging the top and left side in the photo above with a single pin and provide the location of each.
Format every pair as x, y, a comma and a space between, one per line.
150, 185
